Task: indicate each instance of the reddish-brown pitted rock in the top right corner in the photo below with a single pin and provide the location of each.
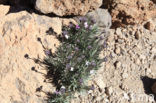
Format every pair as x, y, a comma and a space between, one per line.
139, 12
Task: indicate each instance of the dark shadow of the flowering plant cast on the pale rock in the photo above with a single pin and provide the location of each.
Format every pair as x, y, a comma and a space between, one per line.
53, 73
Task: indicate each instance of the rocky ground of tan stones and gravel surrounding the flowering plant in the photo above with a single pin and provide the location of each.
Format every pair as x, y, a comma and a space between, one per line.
126, 76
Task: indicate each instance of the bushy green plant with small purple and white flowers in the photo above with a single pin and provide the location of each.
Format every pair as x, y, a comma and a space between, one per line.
76, 59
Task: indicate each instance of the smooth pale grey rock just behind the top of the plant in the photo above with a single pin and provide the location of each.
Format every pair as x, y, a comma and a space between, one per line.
102, 17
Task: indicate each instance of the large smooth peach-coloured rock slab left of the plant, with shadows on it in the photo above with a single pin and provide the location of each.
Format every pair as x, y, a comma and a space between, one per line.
18, 36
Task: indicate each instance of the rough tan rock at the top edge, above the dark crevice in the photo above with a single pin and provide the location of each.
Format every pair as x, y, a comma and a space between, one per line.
67, 7
